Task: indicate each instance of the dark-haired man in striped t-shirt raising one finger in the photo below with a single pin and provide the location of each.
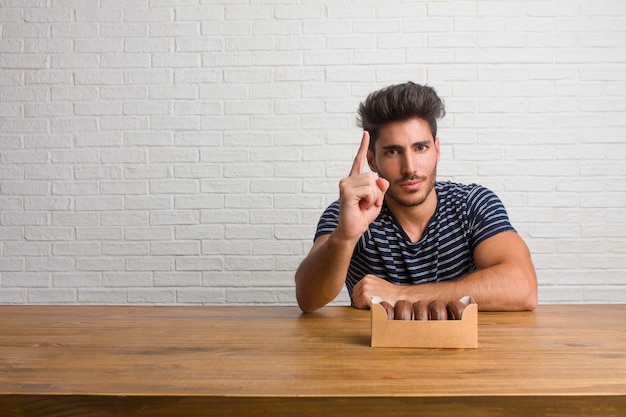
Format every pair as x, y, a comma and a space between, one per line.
402, 235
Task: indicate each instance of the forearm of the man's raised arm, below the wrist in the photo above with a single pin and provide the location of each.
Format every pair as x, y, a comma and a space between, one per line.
321, 275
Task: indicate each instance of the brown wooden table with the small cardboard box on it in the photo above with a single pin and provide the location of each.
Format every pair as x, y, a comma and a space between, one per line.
565, 360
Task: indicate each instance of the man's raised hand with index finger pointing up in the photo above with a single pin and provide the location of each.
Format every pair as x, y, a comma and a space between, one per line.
361, 196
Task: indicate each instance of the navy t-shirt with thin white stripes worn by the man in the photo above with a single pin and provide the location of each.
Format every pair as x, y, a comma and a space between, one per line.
465, 216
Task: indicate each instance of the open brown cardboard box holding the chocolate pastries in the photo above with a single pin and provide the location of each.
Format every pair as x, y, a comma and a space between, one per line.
425, 334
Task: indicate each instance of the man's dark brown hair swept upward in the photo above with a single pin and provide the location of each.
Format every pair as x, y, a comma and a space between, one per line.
397, 103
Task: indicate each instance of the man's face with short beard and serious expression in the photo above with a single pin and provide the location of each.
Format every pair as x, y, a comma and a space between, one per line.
406, 155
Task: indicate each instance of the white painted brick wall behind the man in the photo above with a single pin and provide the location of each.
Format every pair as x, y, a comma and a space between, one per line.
180, 152
